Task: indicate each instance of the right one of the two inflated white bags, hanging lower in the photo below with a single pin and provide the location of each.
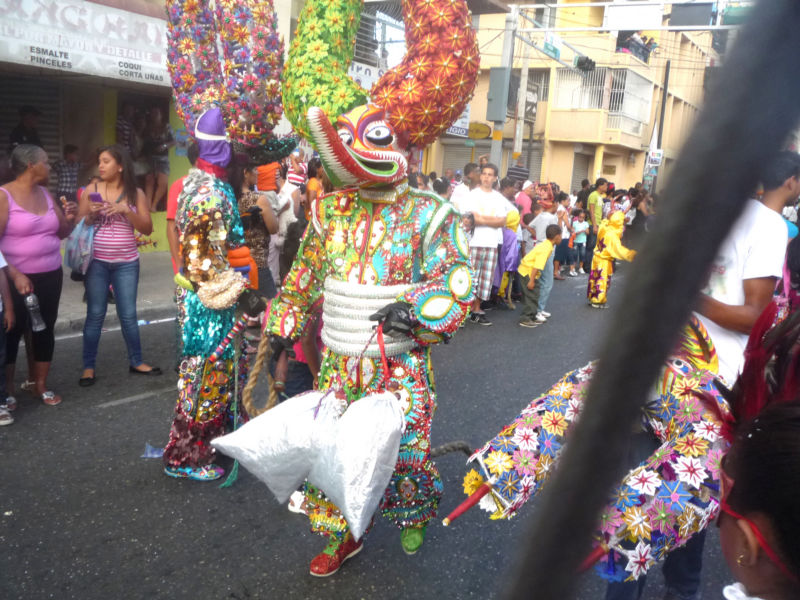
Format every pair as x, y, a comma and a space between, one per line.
355, 464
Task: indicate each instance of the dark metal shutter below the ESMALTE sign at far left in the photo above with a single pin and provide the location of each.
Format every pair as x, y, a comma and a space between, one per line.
44, 95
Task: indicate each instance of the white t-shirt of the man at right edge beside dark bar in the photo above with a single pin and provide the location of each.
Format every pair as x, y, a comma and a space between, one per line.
754, 248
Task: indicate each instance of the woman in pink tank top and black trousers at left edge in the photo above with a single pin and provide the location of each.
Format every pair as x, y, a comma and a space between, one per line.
31, 230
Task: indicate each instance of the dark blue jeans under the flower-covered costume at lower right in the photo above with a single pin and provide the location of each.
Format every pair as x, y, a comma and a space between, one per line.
681, 567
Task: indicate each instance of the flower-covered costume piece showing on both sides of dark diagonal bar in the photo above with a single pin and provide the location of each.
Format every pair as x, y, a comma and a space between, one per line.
661, 503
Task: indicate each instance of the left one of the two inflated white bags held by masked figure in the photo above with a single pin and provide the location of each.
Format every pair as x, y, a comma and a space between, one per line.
280, 446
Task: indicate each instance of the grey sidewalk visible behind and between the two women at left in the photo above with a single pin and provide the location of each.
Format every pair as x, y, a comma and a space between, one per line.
155, 299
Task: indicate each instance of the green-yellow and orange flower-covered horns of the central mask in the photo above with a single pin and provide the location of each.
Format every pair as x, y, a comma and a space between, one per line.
422, 96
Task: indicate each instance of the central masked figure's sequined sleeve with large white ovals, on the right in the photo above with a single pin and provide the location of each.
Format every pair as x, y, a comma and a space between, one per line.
441, 303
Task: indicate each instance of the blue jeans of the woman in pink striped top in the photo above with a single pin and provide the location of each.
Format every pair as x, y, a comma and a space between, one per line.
124, 278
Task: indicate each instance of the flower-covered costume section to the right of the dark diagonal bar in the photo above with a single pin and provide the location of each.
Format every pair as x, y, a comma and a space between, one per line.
673, 494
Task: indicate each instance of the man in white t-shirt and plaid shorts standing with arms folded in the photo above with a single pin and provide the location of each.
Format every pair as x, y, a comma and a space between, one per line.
489, 208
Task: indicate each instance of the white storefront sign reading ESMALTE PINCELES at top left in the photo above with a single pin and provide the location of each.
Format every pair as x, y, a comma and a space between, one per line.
83, 37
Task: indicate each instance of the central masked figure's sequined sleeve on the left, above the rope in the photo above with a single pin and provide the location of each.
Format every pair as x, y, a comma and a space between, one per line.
301, 293
